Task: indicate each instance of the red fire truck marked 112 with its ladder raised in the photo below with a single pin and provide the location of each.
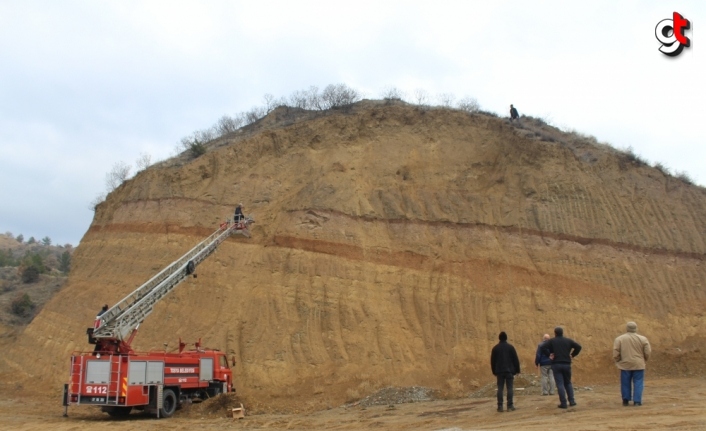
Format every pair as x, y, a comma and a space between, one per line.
118, 379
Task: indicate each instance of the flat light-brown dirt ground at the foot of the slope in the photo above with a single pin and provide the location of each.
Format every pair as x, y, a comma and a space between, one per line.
675, 404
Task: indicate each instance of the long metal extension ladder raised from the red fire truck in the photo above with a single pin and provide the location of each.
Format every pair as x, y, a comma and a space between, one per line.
120, 320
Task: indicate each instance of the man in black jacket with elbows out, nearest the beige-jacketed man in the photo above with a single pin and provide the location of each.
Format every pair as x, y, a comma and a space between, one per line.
561, 350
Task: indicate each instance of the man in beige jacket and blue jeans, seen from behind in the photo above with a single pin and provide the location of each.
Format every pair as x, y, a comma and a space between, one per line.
630, 353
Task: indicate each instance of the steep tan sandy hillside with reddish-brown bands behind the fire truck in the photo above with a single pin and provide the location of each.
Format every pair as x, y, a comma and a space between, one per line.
392, 244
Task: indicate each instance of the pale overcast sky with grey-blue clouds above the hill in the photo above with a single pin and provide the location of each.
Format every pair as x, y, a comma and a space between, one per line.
87, 84
